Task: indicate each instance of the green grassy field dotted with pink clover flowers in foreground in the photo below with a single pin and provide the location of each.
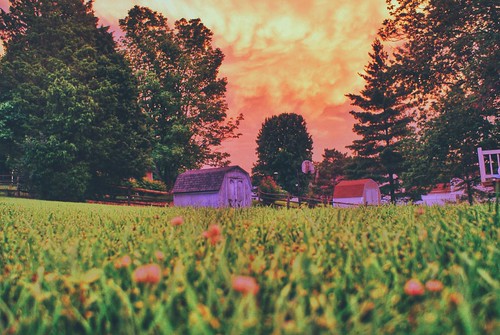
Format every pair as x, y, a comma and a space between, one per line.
93, 269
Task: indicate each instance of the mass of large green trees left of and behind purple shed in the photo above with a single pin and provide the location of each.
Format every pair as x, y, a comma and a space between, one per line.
80, 111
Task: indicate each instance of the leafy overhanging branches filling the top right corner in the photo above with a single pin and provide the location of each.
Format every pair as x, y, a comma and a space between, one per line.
447, 43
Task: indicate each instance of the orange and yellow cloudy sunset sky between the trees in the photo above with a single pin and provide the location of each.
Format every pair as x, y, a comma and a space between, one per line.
281, 56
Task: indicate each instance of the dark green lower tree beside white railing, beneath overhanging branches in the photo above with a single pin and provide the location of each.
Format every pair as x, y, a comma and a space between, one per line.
447, 146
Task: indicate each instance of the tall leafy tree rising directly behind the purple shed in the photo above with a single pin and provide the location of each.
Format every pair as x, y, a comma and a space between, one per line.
180, 90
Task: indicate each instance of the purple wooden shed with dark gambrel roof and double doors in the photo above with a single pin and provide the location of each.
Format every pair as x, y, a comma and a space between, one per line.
217, 187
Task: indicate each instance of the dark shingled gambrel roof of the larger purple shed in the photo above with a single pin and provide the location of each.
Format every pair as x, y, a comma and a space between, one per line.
204, 180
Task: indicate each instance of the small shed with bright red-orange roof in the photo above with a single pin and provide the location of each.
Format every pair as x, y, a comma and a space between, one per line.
356, 192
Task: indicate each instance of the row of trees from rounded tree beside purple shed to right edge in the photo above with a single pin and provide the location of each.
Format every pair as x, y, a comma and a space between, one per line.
430, 100
